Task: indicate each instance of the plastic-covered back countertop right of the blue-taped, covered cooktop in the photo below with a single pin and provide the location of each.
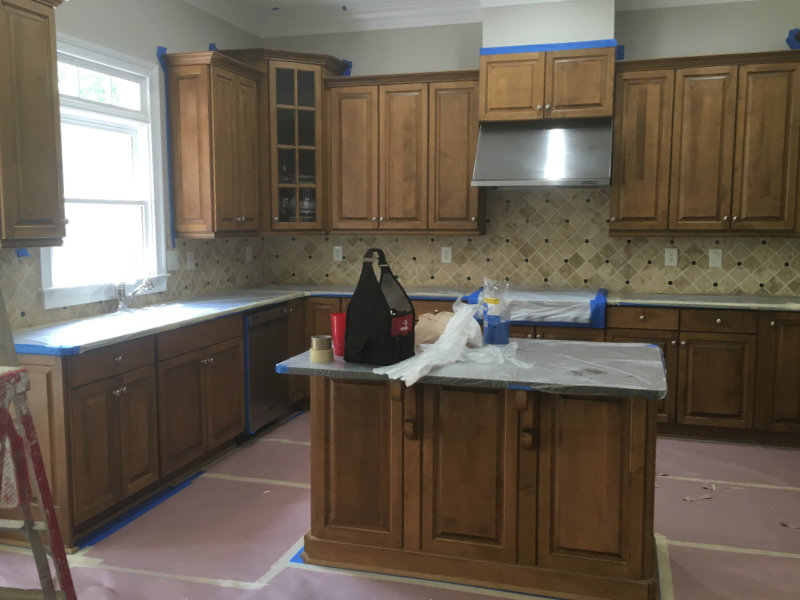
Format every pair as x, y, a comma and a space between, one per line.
742, 302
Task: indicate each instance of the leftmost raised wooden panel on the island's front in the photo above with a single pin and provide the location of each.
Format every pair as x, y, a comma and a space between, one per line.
356, 496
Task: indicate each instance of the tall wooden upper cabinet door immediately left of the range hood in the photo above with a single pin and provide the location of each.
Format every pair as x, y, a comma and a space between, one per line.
453, 121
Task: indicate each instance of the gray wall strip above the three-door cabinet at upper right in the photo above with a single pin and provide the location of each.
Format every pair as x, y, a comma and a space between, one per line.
713, 29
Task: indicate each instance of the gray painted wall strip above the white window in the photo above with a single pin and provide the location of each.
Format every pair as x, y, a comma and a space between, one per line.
137, 27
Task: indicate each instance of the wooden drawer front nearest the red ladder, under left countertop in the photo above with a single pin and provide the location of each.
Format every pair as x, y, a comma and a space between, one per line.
111, 360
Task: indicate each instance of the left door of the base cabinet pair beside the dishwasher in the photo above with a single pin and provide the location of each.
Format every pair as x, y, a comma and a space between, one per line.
181, 411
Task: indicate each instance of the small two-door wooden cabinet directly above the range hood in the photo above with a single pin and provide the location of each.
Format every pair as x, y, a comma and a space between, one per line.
547, 85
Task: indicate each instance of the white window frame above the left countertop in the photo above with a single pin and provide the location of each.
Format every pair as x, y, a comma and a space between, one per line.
149, 75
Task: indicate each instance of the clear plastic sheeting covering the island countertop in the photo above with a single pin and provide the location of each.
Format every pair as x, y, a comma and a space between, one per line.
566, 367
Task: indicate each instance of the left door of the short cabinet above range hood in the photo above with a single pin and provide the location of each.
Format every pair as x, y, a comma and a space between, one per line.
512, 86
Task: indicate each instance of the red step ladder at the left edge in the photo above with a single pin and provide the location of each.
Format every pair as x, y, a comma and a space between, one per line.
22, 481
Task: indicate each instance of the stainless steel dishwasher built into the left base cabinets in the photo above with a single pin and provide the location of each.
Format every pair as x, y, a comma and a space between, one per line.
266, 344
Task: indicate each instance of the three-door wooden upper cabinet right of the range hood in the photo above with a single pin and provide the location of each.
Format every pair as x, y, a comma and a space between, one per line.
721, 158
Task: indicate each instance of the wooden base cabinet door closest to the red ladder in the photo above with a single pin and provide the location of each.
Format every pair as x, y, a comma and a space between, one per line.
95, 448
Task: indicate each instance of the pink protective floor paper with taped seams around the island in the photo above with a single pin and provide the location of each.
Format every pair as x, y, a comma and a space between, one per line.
727, 518
